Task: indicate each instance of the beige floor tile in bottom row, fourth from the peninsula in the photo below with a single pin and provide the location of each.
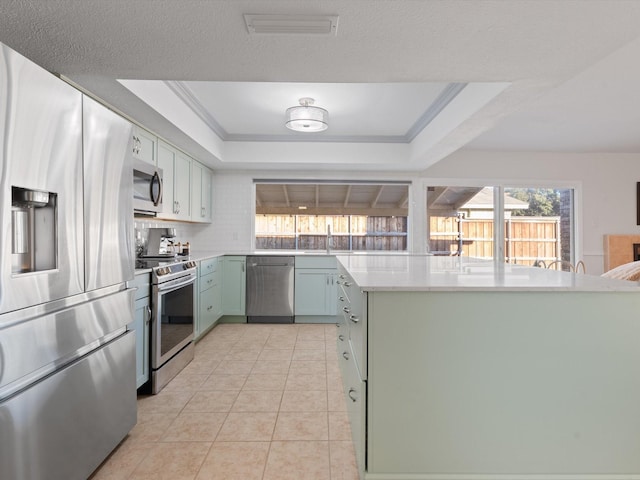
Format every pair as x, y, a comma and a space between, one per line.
172, 461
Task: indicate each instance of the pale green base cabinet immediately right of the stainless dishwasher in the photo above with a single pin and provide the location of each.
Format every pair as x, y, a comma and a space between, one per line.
315, 289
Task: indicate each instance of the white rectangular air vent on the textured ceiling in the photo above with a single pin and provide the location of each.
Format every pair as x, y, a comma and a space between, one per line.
291, 24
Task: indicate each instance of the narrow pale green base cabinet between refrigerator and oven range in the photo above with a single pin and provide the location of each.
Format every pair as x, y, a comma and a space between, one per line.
141, 324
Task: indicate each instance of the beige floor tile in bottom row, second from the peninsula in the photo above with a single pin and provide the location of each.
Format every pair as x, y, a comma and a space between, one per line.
297, 461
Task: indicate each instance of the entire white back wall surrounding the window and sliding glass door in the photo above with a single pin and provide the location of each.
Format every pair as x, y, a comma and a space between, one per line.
605, 185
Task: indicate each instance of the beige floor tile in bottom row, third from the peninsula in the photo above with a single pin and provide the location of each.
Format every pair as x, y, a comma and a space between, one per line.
235, 461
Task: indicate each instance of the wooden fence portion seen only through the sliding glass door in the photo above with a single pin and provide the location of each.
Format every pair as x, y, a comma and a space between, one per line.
527, 239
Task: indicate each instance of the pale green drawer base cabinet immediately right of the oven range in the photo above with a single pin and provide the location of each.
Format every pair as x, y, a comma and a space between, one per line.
209, 295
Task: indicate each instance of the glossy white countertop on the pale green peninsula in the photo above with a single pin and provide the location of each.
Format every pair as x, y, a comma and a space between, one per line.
434, 273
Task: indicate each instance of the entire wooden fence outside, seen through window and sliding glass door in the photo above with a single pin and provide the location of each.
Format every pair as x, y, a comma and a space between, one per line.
527, 239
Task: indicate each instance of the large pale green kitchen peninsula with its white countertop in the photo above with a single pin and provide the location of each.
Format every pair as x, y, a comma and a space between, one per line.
463, 369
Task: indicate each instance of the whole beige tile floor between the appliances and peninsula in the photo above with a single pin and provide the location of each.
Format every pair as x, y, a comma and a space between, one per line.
259, 402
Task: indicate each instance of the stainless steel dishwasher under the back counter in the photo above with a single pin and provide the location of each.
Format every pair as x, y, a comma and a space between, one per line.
270, 289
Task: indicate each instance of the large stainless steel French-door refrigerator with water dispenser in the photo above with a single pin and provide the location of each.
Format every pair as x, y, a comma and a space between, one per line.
67, 361
